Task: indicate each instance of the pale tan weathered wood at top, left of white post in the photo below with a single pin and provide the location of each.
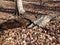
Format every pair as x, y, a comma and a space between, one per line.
7, 4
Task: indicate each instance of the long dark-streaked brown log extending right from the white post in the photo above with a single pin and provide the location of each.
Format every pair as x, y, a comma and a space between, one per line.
41, 10
